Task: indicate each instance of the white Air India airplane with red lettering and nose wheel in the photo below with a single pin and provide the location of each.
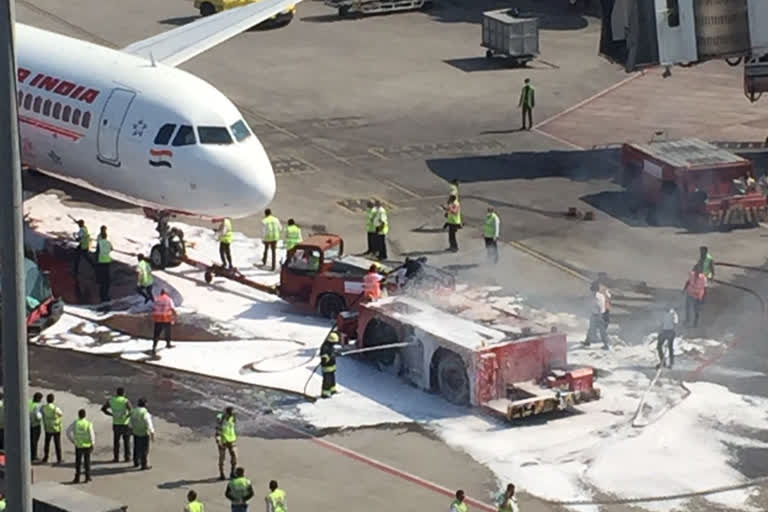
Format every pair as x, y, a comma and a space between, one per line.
129, 124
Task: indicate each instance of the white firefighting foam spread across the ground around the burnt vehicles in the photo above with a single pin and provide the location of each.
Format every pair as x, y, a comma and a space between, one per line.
682, 440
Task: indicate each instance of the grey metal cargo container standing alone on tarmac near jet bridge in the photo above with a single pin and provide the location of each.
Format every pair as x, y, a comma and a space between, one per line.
508, 35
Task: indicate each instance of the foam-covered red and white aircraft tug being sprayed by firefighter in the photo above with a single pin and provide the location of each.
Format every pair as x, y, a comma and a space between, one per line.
466, 362
